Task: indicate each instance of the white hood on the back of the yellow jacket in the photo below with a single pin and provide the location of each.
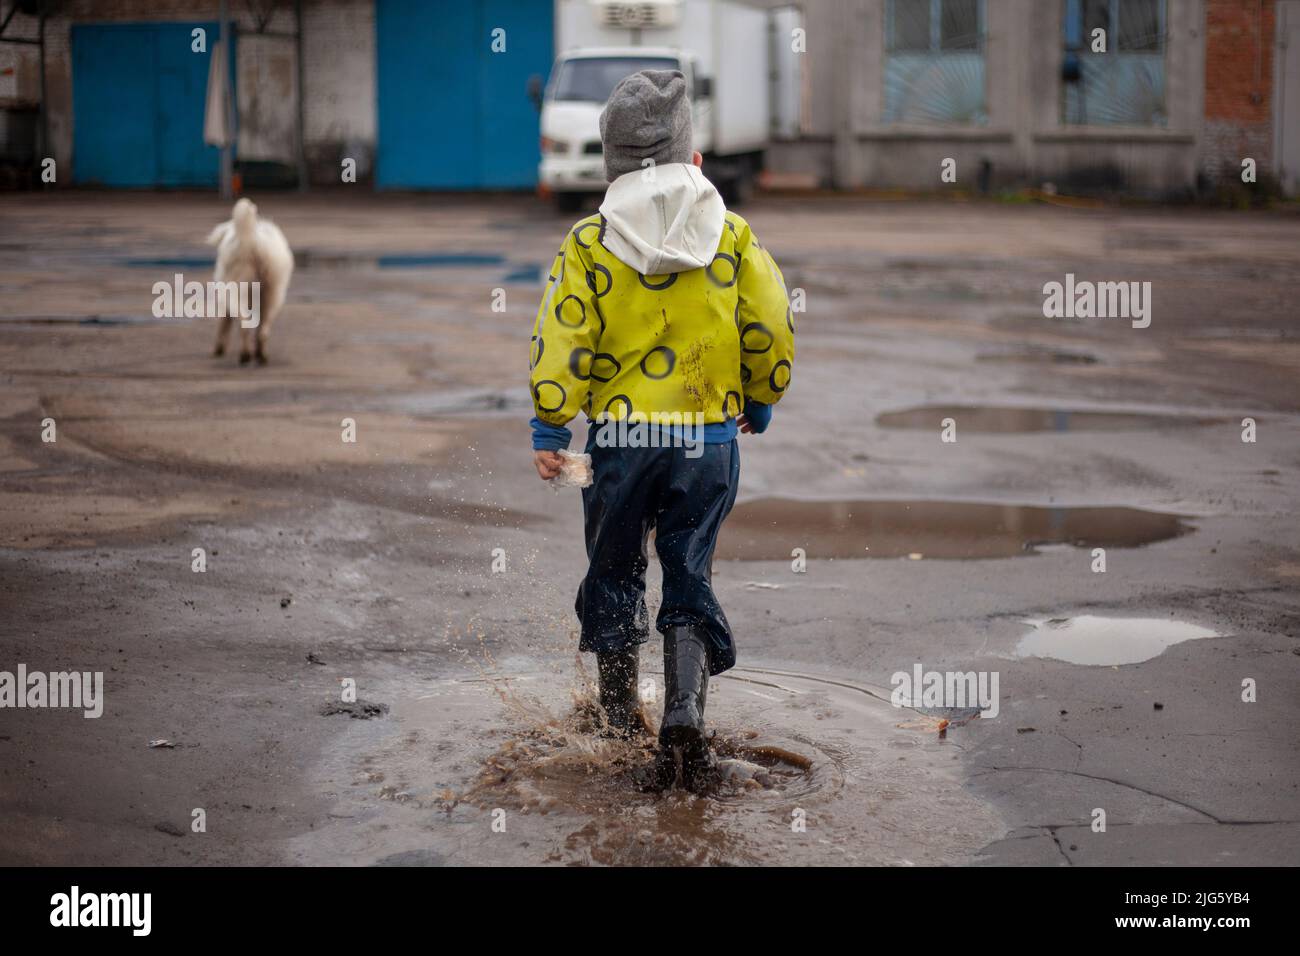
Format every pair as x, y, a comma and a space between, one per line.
666, 223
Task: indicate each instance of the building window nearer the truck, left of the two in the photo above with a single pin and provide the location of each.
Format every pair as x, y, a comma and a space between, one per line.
935, 62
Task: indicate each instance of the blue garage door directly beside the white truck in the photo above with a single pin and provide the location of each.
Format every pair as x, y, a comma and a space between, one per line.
452, 113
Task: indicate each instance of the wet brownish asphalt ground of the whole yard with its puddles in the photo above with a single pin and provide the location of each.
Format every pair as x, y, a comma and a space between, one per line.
1120, 691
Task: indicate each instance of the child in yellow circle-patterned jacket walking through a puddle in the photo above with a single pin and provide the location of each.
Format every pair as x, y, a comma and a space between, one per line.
661, 309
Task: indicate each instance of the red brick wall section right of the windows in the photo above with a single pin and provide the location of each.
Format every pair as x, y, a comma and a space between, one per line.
1240, 45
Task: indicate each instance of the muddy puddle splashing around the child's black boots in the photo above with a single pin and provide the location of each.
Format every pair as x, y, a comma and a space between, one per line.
812, 769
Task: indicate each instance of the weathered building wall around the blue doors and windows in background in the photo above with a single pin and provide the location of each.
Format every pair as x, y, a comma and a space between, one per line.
1219, 96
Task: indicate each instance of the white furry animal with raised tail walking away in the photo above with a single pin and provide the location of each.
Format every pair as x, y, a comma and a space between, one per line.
252, 250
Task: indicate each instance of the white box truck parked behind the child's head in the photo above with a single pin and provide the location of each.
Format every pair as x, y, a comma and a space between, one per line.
726, 51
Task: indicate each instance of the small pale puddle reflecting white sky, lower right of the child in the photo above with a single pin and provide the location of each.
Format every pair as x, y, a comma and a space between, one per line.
1107, 642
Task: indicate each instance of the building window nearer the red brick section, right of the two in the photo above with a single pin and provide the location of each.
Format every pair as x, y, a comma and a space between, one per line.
1124, 85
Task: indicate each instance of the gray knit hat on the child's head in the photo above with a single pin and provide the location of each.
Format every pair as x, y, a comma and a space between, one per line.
648, 118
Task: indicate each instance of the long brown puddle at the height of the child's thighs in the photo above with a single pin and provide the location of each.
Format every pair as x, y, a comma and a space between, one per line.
770, 529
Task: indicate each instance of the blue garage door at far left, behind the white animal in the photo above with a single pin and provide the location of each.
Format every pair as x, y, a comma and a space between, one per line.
138, 102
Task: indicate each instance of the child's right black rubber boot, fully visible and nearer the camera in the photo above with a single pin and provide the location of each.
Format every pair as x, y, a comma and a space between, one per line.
682, 736
